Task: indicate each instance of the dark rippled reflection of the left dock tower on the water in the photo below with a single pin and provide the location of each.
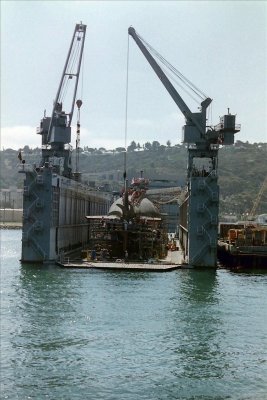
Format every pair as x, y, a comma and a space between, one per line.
43, 335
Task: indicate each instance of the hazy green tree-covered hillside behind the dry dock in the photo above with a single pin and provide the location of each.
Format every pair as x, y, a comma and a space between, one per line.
242, 169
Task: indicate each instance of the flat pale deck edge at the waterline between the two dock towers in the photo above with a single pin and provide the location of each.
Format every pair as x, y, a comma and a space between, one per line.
173, 261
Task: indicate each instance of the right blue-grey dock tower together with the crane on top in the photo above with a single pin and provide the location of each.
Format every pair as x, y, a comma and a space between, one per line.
198, 227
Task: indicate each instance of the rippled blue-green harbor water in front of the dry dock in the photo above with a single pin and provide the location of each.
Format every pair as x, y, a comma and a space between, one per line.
124, 335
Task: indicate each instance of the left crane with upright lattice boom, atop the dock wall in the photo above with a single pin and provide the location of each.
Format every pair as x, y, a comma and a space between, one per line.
56, 130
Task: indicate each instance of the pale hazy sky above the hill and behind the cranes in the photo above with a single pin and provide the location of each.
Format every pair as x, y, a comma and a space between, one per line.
221, 46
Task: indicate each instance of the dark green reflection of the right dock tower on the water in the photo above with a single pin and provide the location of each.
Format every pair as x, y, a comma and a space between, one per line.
197, 329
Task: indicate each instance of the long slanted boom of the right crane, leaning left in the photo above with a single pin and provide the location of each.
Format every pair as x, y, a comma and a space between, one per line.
190, 117
